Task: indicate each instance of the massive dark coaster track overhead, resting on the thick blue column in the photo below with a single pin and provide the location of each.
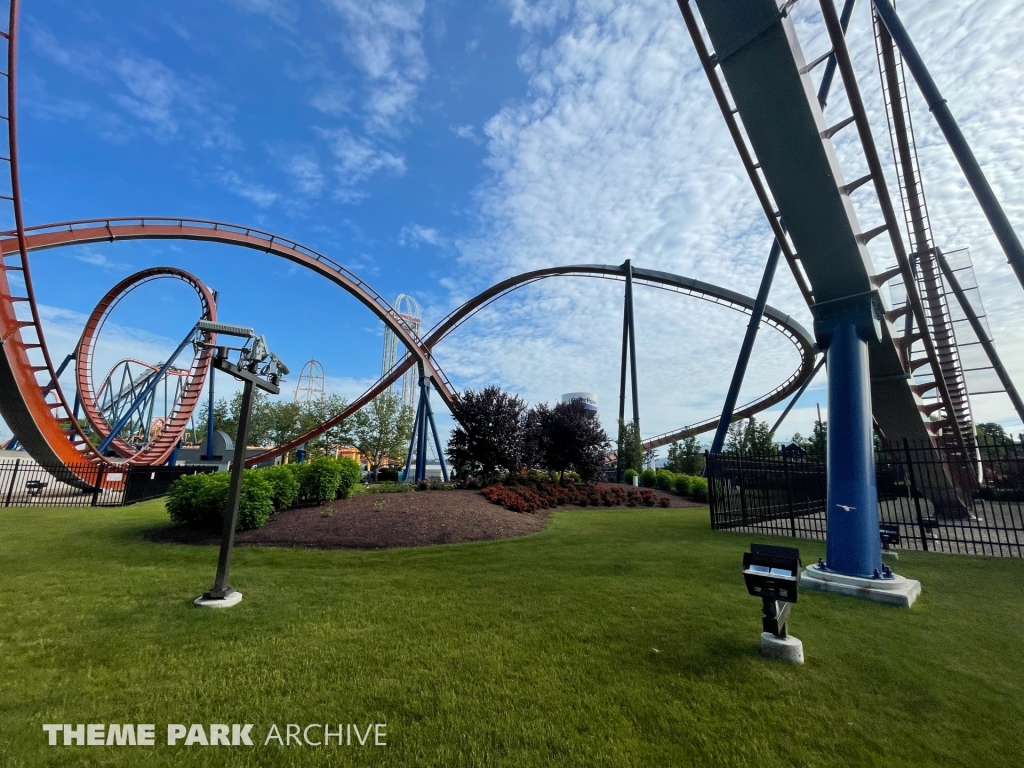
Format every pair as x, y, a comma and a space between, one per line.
787, 148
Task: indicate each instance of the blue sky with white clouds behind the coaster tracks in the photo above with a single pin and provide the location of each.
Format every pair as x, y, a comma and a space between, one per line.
436, 148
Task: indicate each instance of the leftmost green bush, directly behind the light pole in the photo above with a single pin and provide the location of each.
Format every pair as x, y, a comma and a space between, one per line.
201, 500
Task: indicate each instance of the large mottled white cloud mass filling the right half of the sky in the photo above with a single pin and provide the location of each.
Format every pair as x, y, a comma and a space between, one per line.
619, 151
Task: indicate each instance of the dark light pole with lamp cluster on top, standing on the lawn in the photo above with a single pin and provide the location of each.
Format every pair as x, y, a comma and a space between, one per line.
258, 367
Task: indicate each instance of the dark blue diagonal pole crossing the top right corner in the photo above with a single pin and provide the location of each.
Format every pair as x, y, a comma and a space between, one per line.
1002, 228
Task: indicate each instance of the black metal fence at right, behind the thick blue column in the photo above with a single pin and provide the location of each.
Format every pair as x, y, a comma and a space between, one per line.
942, 499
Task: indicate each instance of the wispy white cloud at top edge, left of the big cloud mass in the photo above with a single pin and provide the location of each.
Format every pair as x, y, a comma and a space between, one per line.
386, 40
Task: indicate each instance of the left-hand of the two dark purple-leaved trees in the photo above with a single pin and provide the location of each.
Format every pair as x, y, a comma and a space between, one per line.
490, 435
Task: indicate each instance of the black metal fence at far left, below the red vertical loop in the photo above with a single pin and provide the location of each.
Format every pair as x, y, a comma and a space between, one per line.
25, 484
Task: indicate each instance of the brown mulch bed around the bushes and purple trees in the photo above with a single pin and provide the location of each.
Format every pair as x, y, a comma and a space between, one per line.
381, 521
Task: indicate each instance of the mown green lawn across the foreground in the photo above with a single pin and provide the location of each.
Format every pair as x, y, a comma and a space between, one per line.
613, 638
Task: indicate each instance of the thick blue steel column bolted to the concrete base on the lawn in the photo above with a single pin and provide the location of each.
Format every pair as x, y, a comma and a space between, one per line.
844, 328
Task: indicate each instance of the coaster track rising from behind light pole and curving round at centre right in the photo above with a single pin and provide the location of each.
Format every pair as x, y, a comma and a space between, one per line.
687, 286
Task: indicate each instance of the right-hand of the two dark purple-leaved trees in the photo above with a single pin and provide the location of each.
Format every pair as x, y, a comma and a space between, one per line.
575, 440
